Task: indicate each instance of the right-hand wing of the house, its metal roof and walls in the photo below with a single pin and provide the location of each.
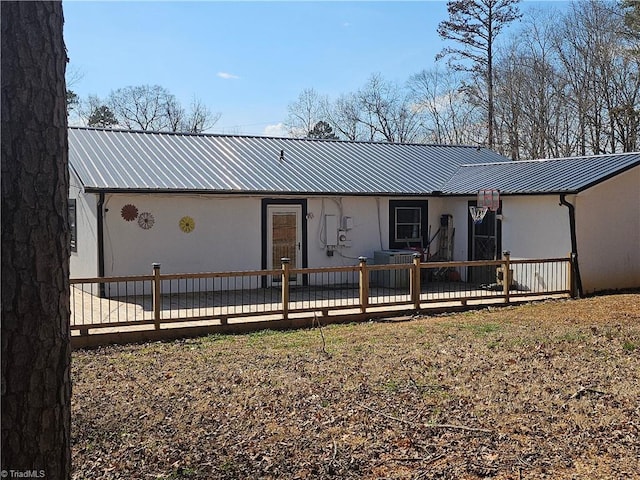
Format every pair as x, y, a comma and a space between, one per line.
586, 205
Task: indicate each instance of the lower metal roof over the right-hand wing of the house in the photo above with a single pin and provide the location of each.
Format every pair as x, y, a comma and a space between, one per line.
561, 175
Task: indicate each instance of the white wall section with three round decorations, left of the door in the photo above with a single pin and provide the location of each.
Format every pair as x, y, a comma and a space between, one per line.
226, 235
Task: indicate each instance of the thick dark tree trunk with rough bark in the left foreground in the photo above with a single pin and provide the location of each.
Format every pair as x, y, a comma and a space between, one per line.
36, 388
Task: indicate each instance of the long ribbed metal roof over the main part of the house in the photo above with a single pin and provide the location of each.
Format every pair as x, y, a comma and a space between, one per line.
118, 160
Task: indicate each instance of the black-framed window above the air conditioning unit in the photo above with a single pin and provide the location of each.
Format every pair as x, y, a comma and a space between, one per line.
407, 223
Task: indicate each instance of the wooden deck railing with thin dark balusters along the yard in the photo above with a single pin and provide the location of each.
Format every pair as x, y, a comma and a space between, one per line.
289, 297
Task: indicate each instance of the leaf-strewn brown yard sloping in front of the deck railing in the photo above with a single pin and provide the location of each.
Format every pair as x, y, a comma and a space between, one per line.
546, 390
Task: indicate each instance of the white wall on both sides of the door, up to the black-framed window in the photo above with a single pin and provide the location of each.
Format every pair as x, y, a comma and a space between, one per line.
227, 235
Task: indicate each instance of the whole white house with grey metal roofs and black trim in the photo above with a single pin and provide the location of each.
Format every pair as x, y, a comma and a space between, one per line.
197, 203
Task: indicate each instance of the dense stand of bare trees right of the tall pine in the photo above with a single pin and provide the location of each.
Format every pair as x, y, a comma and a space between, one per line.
567, 85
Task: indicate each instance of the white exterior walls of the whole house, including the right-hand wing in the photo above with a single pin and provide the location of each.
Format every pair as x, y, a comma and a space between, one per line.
227, 236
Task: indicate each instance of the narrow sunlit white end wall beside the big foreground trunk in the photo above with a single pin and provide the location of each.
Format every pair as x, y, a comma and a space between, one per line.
84, 261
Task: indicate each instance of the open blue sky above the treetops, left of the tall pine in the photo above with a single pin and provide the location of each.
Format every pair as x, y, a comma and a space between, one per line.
248, 60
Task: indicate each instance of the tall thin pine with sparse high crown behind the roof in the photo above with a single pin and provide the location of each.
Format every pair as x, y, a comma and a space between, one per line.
475, 24
